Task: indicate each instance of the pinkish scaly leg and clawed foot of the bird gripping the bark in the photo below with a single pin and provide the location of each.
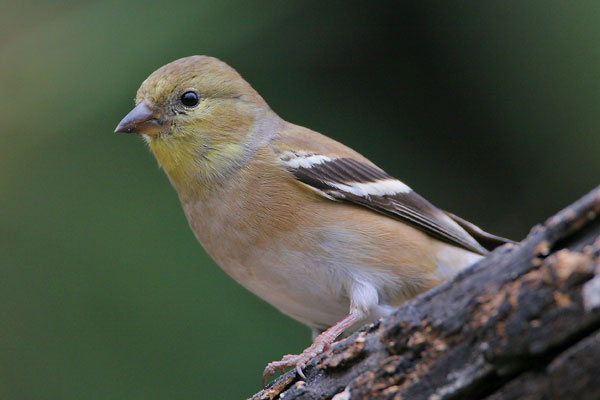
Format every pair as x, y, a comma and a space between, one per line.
320, 344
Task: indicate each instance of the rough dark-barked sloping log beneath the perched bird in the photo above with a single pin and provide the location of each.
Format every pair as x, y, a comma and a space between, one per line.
523, 323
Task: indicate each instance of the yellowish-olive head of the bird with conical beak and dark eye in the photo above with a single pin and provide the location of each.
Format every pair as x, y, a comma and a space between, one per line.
199, 117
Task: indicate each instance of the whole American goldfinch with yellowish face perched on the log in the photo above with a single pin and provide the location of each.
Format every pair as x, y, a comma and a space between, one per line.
302, 221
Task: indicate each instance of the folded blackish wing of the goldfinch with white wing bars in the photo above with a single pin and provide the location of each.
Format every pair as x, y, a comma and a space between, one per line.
347, 179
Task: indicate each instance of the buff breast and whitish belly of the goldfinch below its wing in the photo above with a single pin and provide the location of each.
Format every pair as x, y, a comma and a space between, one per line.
303, 253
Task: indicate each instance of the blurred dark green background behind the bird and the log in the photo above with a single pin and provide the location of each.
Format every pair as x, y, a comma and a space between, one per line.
489, 109
